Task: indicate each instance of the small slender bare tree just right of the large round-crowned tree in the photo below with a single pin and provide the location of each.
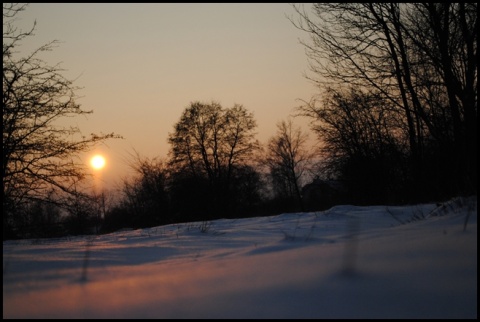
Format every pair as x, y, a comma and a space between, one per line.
289, 159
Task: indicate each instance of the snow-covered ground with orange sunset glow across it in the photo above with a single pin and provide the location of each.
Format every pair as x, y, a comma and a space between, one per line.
417, 261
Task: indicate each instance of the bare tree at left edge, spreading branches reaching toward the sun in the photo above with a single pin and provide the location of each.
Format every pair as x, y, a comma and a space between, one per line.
40, 157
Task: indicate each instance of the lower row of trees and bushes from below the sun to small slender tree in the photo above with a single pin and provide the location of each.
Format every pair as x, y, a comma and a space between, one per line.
216, 169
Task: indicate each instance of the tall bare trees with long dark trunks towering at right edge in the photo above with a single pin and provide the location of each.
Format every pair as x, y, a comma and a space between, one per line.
422, 58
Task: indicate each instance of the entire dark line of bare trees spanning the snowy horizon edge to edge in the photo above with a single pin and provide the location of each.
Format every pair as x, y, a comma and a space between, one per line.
395, 122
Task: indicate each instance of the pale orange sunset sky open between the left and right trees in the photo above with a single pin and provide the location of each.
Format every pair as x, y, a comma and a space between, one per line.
140, 65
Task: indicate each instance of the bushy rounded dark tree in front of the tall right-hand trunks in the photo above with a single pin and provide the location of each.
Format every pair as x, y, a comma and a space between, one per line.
361, 145
